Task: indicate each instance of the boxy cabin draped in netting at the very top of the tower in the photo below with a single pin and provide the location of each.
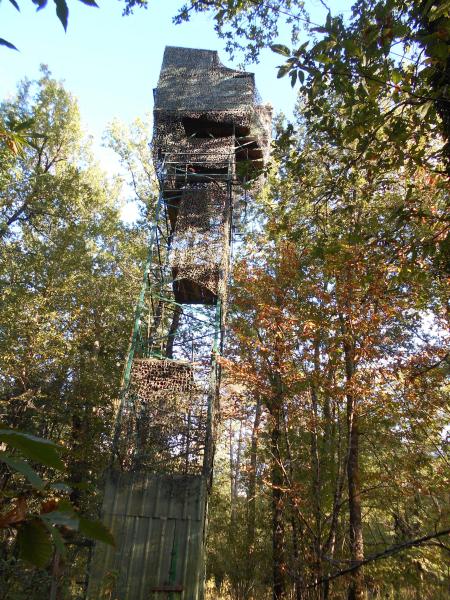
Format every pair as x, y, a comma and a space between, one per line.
205, 112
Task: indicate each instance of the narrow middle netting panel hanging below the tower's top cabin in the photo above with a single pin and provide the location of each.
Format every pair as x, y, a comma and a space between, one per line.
199, 253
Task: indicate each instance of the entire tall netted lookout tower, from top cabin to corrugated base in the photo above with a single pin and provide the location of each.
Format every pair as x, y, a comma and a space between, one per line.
211, 138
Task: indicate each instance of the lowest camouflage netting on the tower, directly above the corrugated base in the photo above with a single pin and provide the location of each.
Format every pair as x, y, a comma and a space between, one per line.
163, 425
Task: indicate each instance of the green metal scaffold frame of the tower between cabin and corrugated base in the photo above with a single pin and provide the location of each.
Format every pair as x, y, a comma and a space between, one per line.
199, 327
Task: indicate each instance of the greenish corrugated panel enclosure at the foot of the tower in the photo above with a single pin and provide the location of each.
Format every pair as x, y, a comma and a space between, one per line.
158, 524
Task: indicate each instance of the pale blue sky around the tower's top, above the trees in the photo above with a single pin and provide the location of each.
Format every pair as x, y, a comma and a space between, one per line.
111, 63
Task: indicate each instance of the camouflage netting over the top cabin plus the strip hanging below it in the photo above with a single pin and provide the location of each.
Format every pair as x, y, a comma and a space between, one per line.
211, 130
